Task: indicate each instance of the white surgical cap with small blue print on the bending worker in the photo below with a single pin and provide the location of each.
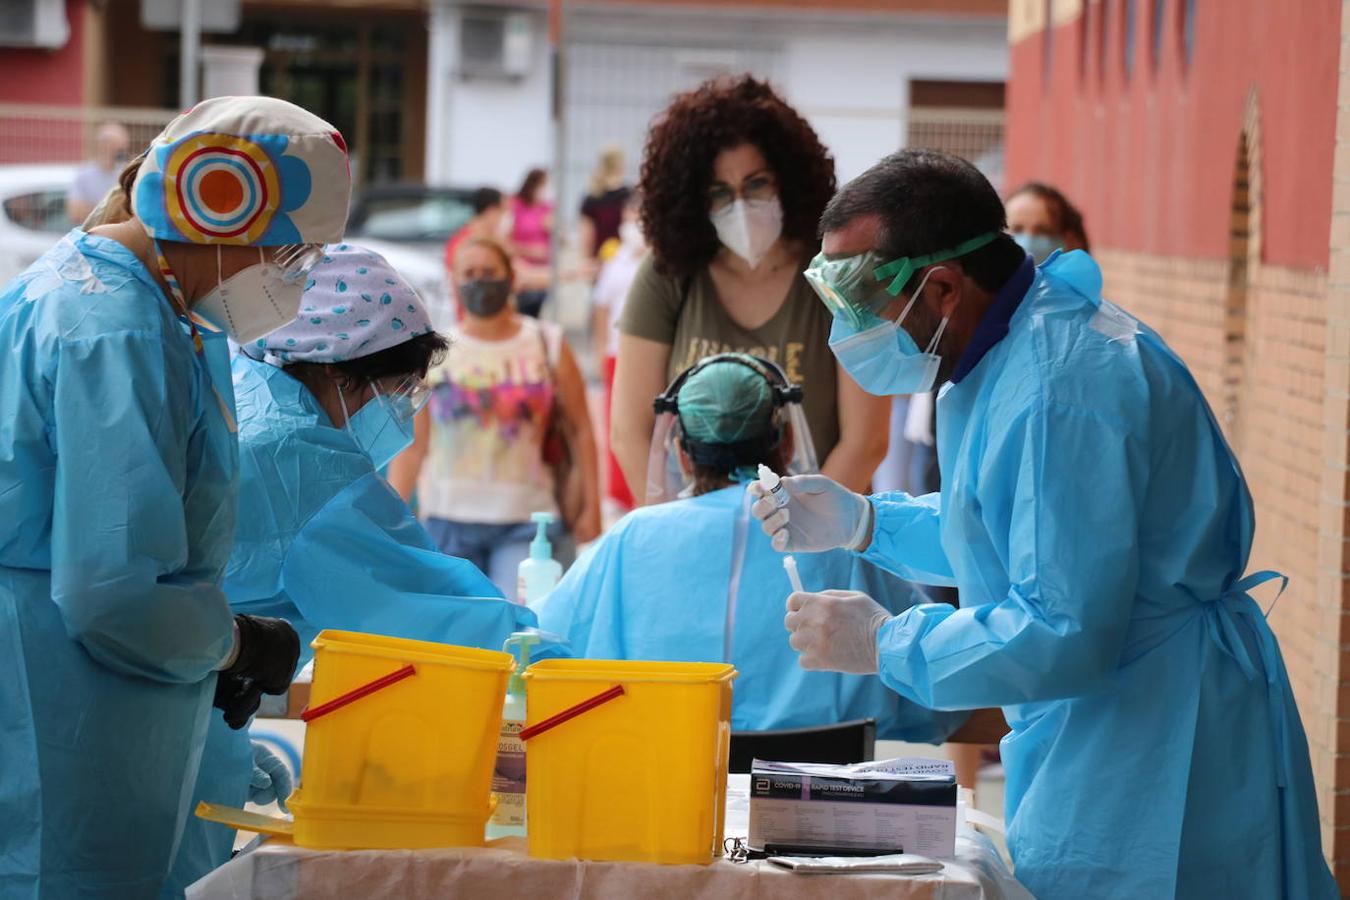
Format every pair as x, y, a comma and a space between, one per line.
354, 306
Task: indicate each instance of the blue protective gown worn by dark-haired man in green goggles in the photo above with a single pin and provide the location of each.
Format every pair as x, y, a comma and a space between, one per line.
1098, 528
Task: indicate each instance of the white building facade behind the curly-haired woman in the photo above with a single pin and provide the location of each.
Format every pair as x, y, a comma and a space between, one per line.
870, 75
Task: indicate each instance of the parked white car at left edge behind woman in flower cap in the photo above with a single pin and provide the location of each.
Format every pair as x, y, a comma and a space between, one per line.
33, 214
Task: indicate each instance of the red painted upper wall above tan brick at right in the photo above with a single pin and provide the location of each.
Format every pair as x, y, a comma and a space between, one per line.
1151, 160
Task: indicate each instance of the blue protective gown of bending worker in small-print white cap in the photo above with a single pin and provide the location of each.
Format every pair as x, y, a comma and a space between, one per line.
325, 543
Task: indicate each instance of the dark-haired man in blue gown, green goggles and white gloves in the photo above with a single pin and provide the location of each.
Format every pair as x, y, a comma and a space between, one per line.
1098, 530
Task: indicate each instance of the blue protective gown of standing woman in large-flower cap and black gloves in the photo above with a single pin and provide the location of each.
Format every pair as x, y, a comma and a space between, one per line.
118, 504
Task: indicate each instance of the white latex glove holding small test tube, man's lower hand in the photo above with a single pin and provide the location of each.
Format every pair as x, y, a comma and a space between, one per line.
836, 631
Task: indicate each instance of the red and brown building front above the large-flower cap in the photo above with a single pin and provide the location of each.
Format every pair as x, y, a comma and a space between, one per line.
360, 65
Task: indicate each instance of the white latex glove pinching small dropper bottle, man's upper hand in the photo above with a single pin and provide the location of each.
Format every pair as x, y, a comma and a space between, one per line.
821, 515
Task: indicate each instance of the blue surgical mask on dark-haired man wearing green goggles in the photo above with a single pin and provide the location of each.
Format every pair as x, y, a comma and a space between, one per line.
884, 358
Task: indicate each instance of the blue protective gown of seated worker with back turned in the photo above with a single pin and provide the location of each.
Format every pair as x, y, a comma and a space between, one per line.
665, 585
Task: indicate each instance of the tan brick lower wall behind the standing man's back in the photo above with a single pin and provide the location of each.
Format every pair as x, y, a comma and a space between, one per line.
1275, 410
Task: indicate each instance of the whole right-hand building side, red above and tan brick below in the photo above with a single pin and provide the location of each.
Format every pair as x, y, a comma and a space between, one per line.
1205, 146
